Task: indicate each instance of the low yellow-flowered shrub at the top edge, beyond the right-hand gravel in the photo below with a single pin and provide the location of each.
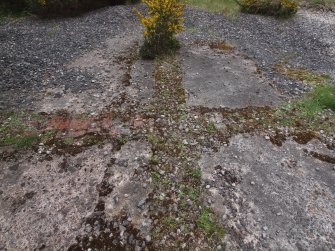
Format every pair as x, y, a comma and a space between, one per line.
269, 7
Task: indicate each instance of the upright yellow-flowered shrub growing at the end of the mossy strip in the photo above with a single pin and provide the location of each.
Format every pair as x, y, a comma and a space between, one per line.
163, 21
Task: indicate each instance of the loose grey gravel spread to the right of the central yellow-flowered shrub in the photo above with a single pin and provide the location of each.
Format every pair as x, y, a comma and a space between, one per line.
307, 40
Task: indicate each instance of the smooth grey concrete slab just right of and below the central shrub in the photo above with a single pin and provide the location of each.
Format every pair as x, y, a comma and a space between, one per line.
215, 78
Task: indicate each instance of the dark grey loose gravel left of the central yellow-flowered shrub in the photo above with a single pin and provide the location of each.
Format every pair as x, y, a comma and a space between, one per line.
34, 53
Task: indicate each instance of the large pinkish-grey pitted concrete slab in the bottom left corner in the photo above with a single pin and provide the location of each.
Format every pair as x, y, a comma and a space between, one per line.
43, 202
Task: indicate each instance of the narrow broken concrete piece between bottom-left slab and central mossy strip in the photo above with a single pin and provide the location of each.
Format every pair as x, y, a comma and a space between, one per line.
128, 187
